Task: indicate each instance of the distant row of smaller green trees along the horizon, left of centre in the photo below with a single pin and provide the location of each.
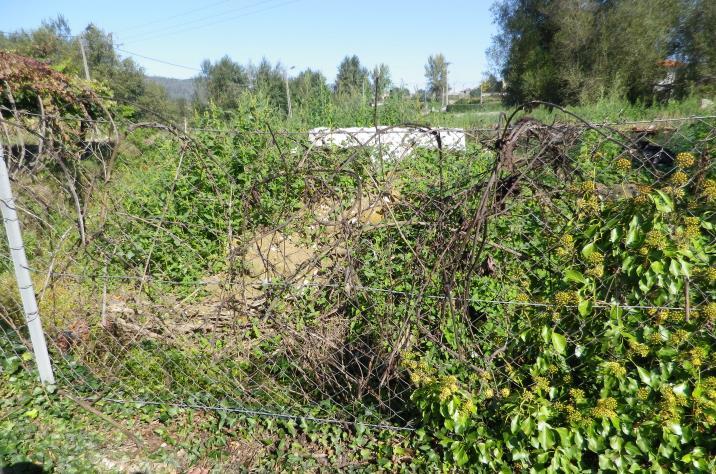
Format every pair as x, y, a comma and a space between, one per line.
223, 82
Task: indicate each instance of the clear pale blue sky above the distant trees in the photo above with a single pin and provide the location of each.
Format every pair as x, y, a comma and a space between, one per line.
301, 33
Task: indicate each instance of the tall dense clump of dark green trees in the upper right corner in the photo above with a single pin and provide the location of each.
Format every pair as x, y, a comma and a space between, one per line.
569, 51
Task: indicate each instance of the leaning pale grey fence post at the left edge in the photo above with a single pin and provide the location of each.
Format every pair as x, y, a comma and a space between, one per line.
22, 275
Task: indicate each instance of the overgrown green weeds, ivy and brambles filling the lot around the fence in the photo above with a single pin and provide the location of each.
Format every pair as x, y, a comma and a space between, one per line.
542, 300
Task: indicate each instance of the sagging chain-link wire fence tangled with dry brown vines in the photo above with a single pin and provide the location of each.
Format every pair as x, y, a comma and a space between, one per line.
309, 275
